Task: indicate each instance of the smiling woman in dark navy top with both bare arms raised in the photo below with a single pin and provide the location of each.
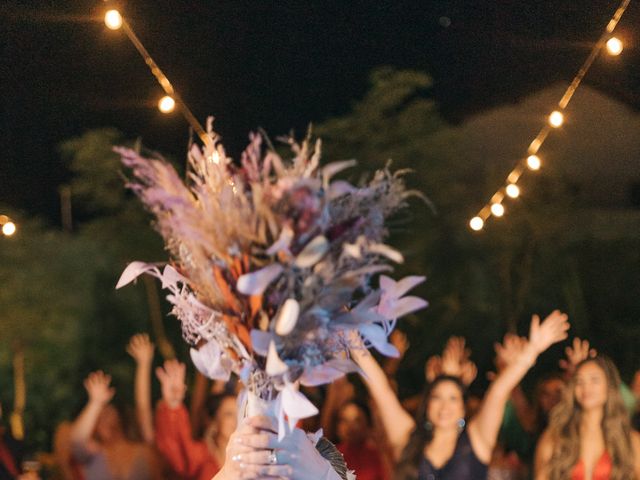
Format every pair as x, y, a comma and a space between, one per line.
438, 445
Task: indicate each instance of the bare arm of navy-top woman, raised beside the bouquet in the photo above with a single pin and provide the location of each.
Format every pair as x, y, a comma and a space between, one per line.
397, 423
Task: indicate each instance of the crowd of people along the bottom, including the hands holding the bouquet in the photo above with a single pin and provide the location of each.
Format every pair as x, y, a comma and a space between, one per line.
578, 424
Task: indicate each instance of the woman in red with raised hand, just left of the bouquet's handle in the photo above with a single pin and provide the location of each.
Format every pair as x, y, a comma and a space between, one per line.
188, 457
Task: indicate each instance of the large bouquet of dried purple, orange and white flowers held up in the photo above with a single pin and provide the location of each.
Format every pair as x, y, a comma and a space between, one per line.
273, 263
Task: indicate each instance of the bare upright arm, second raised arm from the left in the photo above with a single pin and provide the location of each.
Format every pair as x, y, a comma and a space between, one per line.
141, 349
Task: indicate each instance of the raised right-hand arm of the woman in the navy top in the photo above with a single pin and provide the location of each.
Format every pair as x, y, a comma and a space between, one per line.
484, 427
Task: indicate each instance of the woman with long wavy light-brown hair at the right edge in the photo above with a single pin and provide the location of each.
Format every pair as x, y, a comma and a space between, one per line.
589, 436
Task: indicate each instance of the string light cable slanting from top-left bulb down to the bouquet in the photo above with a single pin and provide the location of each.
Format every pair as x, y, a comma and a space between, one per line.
114, 20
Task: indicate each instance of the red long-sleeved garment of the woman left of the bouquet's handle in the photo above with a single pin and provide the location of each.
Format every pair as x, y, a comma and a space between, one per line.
187, 457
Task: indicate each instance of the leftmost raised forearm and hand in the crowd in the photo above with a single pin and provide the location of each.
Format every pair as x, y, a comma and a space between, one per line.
100, 394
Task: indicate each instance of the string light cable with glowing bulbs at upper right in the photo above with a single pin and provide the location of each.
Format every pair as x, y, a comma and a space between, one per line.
532, 162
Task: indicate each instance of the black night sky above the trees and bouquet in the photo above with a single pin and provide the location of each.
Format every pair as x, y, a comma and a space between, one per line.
277, 65
